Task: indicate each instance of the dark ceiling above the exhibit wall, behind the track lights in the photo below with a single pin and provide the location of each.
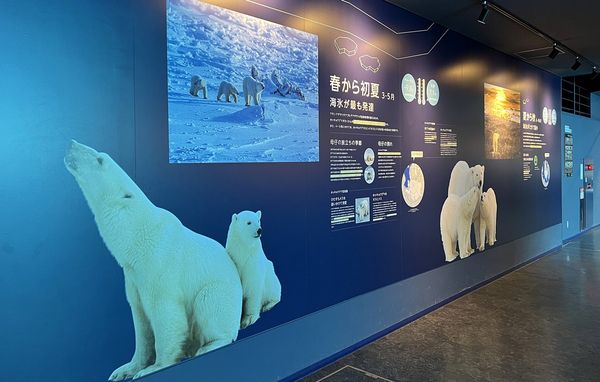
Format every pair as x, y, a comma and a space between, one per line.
574, 23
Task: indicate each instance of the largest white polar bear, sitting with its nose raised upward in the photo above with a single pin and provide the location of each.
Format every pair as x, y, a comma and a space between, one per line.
183, 289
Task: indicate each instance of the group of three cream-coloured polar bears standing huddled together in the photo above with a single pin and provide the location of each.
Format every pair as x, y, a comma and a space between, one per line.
465, 207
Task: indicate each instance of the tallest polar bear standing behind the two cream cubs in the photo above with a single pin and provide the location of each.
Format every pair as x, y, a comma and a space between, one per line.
462, 179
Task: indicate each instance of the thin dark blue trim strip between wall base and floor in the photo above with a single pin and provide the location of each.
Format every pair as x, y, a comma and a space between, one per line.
335, 357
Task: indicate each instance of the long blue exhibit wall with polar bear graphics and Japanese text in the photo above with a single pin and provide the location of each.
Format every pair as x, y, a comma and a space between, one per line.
371, 151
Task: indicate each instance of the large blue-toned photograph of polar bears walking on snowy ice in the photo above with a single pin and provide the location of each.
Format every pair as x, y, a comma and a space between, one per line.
240, 89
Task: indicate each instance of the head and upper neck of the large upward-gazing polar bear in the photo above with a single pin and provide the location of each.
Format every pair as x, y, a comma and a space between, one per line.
106, 187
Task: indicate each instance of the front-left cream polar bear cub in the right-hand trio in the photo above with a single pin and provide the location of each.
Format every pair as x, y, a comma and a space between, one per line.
455, 223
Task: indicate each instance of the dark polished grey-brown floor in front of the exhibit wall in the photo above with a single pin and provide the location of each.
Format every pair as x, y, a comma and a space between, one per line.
539, 323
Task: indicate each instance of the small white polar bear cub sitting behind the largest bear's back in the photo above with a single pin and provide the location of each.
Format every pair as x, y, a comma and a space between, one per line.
260, 284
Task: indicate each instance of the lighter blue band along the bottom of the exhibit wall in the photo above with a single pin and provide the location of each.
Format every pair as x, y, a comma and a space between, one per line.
296, 348
